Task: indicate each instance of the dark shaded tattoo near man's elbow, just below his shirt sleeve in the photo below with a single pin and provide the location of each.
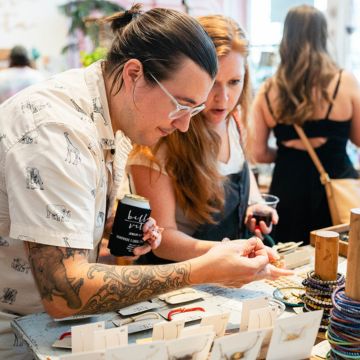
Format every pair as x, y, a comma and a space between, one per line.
49, 270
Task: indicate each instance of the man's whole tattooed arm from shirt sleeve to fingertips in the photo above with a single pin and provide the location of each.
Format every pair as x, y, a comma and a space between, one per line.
69, 284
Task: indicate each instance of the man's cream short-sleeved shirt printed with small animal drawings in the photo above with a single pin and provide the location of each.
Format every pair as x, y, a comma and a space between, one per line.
57, 169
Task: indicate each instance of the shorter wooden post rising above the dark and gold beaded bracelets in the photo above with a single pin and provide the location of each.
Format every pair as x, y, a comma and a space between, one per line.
326, 254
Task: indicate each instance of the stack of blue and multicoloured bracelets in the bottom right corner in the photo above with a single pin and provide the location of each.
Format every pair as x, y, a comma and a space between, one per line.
344, 329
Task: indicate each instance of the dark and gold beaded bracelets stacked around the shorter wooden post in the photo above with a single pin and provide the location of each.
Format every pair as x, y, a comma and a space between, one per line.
318, 294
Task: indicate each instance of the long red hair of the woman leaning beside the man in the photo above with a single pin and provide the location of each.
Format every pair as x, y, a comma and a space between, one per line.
191, 157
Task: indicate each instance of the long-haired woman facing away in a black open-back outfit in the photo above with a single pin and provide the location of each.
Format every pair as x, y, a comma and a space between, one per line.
311, 91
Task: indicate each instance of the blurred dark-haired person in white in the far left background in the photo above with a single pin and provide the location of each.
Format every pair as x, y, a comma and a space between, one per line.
19, 75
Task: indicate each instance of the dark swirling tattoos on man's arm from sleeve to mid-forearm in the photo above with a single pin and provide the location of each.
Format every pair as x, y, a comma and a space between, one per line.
121, 285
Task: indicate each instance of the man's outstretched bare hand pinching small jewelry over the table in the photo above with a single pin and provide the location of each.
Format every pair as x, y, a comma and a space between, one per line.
240, 262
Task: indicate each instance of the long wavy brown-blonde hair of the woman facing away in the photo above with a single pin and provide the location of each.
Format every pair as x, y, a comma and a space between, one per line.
306, 67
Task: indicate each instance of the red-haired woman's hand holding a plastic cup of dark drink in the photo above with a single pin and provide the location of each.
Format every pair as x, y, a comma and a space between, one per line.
262, 228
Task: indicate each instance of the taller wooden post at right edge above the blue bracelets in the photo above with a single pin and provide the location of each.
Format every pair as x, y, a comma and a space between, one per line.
352, 286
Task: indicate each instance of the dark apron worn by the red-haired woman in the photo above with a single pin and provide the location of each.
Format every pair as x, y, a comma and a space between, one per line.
229, 223
